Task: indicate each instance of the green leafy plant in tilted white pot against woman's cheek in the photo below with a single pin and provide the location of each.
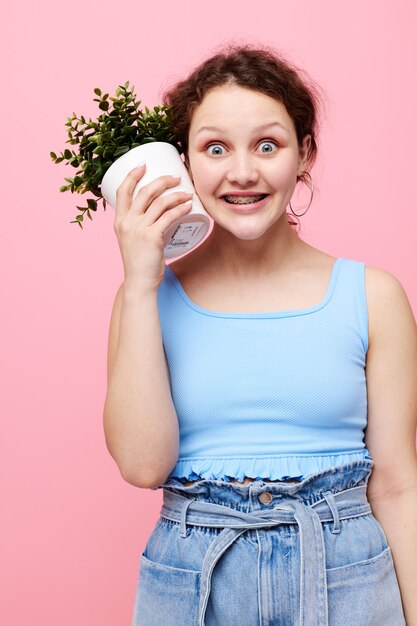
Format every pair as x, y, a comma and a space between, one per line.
123, 135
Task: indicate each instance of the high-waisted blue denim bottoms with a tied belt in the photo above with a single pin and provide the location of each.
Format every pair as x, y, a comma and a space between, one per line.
307, 553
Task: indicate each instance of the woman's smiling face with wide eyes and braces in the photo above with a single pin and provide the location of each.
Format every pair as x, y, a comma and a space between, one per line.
251, 146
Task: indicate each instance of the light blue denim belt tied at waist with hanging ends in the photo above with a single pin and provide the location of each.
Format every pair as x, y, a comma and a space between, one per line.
291, 510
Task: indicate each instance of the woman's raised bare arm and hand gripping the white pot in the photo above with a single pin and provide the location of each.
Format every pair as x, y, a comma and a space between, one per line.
140, 421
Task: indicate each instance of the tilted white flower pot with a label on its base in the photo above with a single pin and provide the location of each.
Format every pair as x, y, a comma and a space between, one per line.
162, 158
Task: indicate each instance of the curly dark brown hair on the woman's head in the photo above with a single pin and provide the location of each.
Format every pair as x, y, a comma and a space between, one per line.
260, 68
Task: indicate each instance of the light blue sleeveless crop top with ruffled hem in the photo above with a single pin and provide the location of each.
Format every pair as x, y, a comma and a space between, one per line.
273, 395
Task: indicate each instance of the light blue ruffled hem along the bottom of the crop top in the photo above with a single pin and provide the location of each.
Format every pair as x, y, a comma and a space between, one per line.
271, 468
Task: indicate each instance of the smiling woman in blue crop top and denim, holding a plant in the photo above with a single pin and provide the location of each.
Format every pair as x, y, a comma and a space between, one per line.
267, 387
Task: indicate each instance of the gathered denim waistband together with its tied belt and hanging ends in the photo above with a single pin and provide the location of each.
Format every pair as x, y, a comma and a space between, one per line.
291, 508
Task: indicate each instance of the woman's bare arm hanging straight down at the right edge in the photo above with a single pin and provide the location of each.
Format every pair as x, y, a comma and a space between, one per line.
391, 432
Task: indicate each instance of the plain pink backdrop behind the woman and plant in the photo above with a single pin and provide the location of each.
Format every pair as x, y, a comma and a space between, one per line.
71, 529
